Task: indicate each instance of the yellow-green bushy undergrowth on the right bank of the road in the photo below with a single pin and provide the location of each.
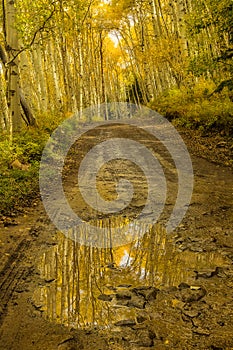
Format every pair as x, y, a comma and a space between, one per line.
198, 108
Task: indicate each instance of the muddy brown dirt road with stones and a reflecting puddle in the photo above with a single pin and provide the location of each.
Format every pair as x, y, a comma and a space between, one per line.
169, 292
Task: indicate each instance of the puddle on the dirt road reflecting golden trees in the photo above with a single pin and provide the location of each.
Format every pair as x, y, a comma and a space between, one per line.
80, 283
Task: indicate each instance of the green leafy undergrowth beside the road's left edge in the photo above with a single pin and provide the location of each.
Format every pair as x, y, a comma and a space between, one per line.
18, 187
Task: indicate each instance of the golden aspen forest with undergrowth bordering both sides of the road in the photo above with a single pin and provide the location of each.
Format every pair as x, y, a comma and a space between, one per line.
62, 56
